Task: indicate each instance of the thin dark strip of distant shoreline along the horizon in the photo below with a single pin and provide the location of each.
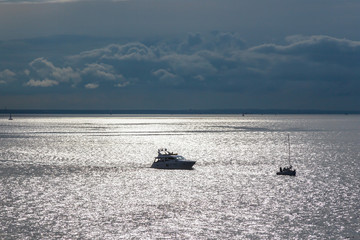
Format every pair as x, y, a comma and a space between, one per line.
190, 111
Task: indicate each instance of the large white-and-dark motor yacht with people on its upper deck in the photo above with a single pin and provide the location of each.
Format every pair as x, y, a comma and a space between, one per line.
170, 160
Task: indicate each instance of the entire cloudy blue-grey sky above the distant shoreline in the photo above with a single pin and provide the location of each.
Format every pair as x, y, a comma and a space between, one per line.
180, 54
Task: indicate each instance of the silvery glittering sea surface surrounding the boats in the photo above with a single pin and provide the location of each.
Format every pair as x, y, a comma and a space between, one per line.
88, 177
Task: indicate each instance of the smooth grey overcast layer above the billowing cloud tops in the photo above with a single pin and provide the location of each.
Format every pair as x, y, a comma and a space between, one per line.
259, 21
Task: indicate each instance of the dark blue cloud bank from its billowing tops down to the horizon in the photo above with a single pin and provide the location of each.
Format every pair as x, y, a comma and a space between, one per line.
201, 71
